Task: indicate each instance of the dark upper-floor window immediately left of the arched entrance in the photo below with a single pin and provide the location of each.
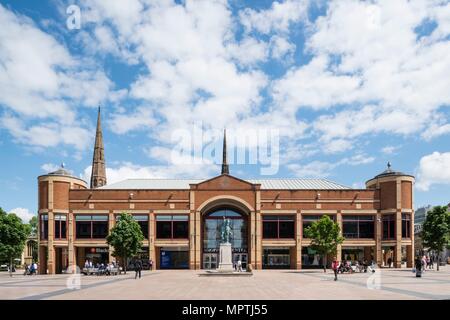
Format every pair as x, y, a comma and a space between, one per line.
172, 227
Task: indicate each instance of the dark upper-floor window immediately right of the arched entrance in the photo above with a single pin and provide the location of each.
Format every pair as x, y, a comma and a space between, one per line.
278, 227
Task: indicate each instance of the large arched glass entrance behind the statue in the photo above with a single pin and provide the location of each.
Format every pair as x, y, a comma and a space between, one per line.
211, 235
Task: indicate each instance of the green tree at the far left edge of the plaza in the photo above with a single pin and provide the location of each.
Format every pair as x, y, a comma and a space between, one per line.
13, 235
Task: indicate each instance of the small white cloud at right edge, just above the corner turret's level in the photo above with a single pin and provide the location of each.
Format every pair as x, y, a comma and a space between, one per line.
433, 169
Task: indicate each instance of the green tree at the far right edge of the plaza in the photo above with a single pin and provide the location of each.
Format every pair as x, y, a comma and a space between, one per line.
436, 230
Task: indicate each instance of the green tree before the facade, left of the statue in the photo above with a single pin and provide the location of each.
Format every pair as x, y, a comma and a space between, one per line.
126, 238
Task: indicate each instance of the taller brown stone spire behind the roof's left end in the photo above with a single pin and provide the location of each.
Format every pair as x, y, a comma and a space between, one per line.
98, 176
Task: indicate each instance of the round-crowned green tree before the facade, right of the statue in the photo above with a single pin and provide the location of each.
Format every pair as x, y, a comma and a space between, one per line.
325, 237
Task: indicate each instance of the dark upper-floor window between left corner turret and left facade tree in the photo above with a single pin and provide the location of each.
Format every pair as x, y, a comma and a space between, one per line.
91, 227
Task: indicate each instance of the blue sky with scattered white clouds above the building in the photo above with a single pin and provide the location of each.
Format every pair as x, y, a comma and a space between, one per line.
346, 85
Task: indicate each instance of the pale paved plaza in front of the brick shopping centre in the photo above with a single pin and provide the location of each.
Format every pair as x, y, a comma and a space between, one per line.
264, 284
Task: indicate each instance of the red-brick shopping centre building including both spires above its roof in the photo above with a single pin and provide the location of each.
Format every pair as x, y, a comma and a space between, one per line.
181, 218
